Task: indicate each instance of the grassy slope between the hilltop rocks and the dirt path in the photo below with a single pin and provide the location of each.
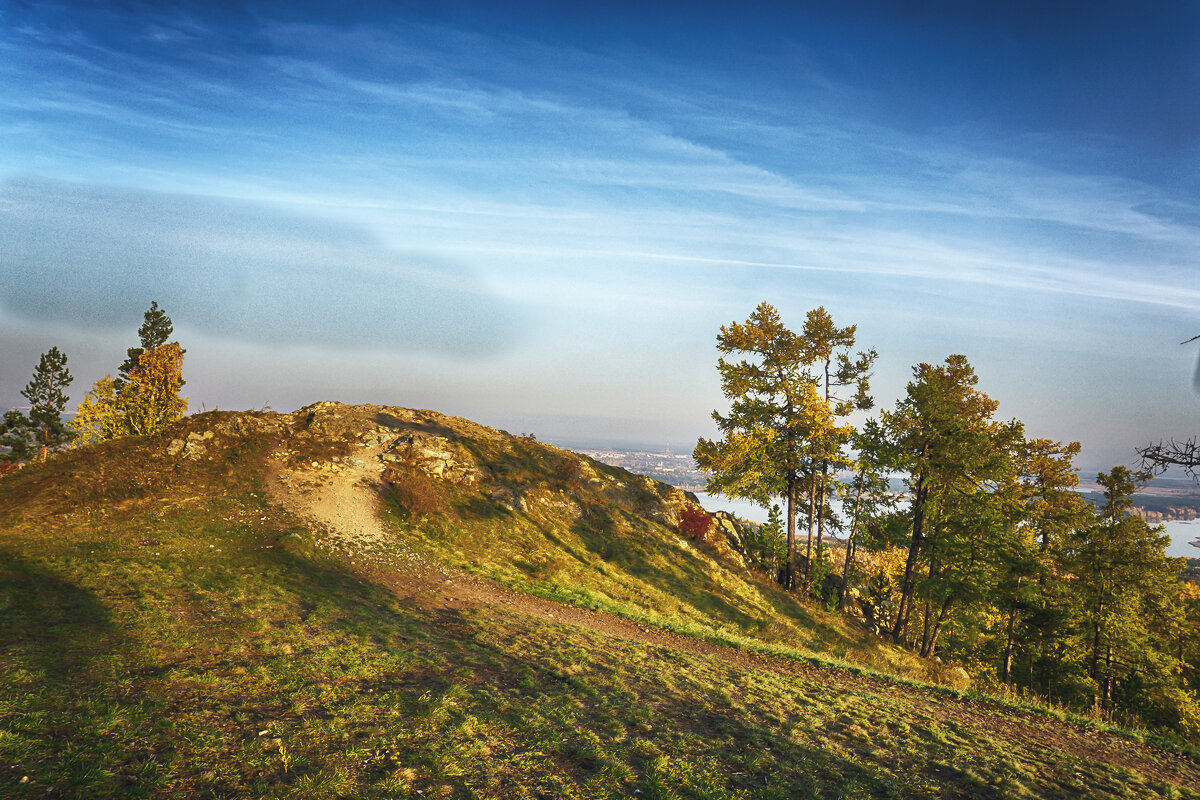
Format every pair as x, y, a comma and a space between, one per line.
611, 560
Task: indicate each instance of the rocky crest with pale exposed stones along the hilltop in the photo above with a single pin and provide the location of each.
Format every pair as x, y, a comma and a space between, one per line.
394, 447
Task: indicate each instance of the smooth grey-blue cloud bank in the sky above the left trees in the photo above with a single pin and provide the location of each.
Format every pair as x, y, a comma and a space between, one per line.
92, 256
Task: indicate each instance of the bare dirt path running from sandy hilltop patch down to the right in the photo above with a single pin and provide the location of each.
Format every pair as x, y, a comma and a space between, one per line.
344, 500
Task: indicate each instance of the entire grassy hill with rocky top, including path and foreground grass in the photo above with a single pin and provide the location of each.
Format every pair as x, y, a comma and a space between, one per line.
233, 610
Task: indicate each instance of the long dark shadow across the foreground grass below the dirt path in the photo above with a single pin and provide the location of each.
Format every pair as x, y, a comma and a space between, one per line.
493, 667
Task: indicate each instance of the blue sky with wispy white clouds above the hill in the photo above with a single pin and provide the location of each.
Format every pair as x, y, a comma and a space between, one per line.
538, 215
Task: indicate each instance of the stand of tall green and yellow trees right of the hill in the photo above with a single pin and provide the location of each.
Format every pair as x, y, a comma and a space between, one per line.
989, 557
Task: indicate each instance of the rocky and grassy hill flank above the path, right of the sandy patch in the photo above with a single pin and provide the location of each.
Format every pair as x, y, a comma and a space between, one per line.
561, 526
